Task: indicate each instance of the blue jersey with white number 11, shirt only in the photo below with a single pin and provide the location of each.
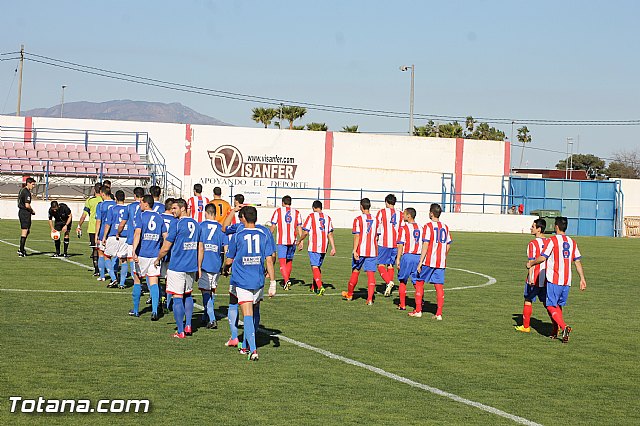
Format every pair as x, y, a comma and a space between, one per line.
248, 249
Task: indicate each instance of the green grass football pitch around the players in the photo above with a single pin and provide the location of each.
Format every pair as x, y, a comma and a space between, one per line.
83, 345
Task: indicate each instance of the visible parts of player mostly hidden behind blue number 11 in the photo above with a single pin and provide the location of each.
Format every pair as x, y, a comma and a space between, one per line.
231, 230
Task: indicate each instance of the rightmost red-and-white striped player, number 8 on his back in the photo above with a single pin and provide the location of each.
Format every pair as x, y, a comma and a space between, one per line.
558, 253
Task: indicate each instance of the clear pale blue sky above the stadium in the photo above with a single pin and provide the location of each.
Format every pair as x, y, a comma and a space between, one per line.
567, 60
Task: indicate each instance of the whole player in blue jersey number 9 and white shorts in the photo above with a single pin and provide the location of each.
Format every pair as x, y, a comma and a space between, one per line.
182, 240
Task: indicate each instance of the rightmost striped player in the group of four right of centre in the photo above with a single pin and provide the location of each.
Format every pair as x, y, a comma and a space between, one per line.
433, 260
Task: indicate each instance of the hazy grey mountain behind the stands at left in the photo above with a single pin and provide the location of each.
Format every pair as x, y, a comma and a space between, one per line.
127, 110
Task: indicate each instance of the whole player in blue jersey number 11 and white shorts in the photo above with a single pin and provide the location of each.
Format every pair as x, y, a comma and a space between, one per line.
248, 251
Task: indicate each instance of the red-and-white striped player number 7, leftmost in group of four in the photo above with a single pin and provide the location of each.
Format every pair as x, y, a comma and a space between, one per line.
365, 251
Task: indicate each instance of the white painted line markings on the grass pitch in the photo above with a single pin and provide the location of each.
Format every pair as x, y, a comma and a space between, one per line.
333, 356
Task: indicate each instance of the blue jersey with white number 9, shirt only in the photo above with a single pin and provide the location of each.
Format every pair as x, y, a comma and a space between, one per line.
183, 234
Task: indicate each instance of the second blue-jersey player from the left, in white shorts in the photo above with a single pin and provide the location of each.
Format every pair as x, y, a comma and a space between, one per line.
115, 248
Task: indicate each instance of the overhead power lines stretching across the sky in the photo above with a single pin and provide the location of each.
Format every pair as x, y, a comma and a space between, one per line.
320, 107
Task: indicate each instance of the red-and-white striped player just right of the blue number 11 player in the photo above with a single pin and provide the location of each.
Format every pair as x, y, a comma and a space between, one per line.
288, 222
